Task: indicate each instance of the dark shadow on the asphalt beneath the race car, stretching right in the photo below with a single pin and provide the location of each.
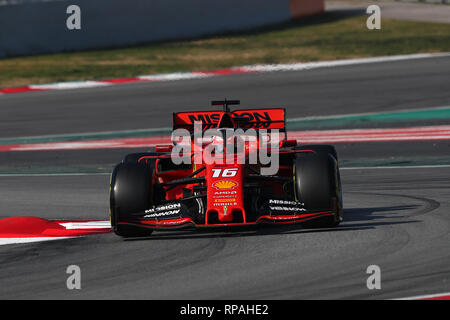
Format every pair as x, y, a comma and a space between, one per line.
355, 219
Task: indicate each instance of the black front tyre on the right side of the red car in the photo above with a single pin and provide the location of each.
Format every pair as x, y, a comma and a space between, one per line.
317, 185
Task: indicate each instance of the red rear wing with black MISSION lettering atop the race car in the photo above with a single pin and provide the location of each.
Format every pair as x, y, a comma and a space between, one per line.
271, 118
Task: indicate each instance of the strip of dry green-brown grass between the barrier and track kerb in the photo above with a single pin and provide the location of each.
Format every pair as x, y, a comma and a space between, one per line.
327, 37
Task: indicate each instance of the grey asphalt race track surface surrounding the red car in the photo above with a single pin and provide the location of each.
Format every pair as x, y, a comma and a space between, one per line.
396, 218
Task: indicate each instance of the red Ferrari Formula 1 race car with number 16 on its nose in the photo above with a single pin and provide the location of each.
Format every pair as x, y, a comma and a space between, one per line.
207, 179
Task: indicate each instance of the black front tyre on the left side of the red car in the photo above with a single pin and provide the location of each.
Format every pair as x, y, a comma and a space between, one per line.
131, 191
